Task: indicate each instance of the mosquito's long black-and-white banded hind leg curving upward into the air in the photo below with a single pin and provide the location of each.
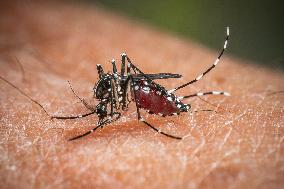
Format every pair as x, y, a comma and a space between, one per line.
209, 69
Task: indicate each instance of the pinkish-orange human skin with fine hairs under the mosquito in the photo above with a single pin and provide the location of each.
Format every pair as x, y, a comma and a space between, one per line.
238, 146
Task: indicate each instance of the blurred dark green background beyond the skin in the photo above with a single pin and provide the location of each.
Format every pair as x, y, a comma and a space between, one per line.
257, 31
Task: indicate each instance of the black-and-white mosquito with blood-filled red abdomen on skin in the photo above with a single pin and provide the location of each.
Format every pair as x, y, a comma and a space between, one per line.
116, 90
